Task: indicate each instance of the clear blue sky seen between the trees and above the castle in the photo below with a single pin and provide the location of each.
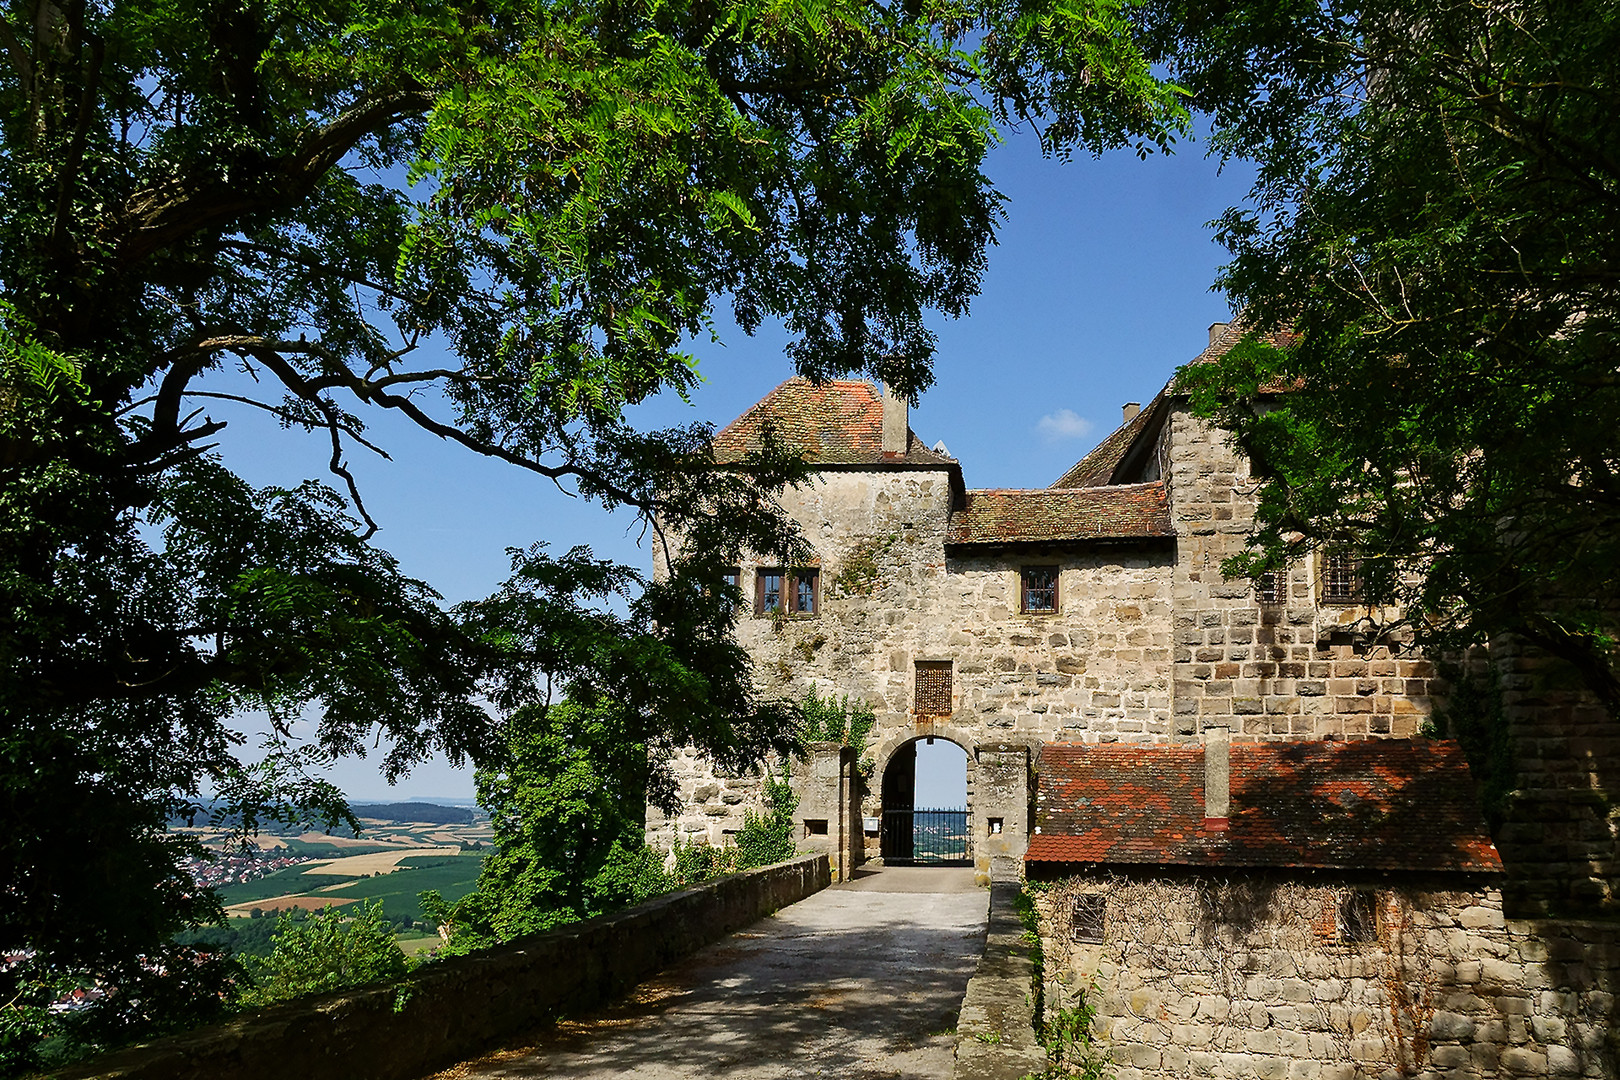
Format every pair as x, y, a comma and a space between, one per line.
1098, 291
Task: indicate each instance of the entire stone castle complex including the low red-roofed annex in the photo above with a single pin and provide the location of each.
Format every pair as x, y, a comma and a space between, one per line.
1248, 856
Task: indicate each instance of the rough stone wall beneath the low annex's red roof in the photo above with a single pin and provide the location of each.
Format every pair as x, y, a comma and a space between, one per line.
1250, 979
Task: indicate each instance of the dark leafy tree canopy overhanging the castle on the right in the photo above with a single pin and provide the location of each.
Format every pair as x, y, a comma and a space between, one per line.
1436, 219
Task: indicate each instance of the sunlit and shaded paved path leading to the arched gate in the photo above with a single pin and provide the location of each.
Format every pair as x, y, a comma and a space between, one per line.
861, 980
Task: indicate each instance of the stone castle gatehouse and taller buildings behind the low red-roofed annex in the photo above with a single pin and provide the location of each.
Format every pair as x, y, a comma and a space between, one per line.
1008, 619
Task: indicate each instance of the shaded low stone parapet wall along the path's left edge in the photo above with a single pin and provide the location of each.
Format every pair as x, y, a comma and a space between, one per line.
459, 1008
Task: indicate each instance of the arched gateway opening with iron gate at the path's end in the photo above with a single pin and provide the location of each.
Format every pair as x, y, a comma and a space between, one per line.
921, 835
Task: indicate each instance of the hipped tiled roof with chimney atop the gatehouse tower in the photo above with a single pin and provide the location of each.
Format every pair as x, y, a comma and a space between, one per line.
838, 422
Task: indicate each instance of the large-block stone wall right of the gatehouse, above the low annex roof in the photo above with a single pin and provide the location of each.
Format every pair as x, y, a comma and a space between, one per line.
1285, 671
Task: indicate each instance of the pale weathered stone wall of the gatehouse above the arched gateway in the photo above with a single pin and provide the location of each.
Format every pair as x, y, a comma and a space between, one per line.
1098, 670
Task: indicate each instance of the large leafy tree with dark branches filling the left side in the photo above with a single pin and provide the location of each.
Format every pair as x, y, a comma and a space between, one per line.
505, 223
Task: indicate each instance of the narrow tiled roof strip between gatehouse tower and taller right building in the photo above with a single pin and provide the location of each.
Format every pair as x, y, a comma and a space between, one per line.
1042, 516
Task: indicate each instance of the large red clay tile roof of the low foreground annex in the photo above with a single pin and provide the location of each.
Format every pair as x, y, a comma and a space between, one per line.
1365, 806
